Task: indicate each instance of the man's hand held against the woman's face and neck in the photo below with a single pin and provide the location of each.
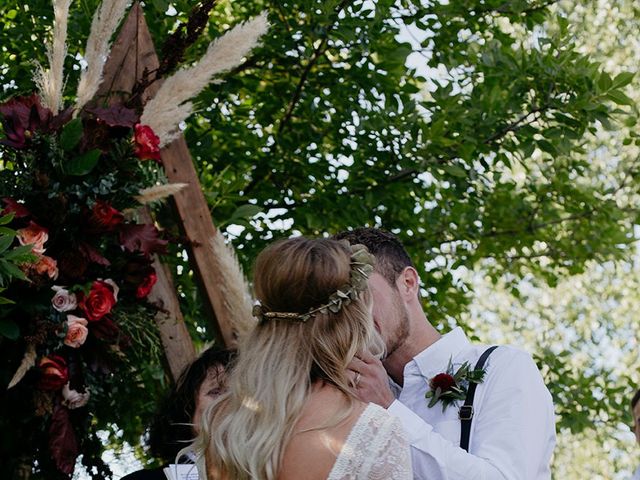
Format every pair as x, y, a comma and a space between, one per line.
370, 380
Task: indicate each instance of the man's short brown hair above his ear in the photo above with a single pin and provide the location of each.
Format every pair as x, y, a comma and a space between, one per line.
391, 256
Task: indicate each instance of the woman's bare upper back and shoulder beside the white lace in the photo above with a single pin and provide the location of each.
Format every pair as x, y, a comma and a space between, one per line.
320, 434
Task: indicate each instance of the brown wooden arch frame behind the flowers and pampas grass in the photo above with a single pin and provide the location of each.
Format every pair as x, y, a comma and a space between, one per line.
133, 53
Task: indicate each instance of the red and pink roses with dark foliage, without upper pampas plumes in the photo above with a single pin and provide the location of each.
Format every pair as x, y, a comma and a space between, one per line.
69, 187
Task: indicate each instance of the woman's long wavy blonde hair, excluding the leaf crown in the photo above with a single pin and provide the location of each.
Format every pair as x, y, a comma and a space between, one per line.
244, 434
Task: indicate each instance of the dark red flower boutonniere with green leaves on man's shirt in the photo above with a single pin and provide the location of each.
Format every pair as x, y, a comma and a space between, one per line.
449, 387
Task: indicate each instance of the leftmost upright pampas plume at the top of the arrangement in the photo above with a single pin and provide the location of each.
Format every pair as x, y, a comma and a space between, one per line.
50, 82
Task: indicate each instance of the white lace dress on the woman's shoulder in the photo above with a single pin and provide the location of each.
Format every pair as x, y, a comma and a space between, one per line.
376, 448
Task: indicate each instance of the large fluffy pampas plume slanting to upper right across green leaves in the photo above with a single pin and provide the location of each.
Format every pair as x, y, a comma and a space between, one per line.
170, 106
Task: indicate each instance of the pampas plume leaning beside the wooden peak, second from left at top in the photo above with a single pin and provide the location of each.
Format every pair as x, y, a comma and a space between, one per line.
104, 23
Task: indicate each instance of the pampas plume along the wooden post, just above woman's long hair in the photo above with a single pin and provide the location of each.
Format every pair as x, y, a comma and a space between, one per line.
233, 286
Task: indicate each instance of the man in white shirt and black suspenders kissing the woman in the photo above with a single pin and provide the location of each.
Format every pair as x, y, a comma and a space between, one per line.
512, 428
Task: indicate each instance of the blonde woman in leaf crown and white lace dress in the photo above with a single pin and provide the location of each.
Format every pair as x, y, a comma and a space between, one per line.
290, 412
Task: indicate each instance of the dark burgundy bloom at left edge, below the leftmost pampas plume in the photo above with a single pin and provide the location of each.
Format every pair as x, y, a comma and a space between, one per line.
21, 116
